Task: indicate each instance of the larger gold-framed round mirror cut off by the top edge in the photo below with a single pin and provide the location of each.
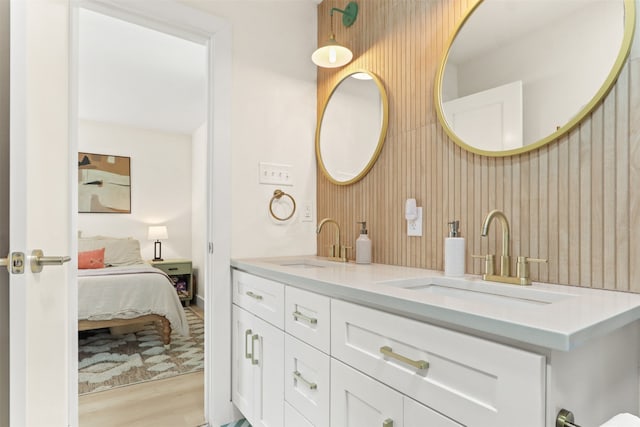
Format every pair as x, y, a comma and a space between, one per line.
520, 73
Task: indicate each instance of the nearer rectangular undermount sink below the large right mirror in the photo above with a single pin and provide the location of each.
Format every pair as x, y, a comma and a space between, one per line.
491, 293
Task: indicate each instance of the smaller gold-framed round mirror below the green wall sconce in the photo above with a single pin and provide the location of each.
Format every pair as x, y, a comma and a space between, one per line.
352, 128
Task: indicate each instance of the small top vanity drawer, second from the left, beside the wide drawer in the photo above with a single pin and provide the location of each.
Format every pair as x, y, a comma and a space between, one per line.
307, 317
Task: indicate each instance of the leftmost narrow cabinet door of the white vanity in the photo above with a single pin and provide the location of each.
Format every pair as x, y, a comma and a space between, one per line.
242, 369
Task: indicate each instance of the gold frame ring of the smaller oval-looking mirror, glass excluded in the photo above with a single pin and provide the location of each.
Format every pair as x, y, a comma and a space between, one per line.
383, 129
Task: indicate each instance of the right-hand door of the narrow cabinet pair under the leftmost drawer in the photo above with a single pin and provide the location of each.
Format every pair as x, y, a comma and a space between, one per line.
268, 409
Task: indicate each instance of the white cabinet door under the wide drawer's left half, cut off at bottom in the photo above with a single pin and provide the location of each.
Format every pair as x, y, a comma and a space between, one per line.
359, 401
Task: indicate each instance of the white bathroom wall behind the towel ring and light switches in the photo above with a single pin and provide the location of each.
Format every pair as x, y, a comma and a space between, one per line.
273, 118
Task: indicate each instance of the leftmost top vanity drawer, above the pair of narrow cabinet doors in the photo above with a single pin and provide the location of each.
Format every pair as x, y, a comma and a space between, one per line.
262, 297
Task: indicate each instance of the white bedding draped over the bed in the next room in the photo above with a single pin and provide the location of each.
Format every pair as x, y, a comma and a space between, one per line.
129, 291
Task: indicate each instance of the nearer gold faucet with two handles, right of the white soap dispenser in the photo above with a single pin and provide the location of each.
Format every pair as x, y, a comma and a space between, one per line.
522, 271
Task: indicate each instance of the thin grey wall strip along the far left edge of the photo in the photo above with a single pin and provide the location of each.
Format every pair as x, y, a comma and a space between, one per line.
4, 211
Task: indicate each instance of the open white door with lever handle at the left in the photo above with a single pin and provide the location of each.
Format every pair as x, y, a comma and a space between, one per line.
40, 207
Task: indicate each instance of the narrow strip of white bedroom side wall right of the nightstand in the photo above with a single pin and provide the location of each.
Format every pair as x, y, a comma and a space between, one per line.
199, 206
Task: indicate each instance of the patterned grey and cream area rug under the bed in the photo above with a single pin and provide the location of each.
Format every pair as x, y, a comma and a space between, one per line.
106, 361
